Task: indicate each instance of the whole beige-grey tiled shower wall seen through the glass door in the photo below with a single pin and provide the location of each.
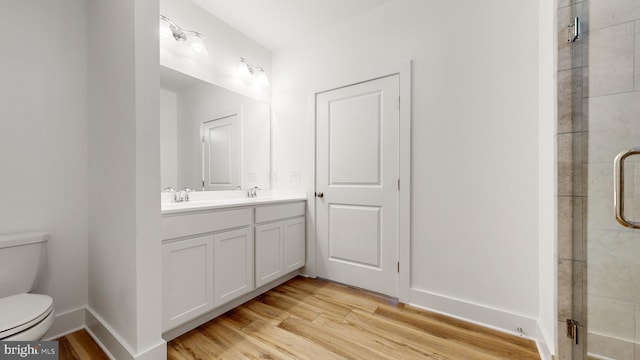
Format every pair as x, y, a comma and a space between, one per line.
598, 116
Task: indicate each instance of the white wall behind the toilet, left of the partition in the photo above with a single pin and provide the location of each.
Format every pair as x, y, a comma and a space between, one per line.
43, 142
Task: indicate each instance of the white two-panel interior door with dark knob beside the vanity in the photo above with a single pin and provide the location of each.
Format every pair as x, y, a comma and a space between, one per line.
357, 160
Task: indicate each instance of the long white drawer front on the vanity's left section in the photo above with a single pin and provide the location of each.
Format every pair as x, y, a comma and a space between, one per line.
176, 226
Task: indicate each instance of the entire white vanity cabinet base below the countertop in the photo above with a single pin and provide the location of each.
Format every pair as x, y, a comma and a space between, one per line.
214, 259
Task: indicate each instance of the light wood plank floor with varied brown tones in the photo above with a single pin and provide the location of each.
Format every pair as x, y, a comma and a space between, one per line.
315, 319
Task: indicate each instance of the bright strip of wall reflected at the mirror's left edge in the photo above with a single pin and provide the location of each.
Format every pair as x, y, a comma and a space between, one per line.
168, 139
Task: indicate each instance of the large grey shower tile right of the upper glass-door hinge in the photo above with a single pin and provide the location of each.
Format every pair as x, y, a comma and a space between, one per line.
611, 60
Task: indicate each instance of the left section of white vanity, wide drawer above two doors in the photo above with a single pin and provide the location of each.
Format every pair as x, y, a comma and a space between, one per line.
207, 260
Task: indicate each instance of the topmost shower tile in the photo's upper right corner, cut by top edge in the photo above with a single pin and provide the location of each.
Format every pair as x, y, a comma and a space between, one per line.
604, 13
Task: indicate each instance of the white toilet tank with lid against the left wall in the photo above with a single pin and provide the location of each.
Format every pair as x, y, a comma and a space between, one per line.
21, 259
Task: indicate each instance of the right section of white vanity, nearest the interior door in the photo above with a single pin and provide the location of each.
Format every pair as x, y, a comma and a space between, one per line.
280, 240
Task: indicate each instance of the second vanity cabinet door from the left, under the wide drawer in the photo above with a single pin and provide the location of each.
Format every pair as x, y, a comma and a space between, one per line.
233, 264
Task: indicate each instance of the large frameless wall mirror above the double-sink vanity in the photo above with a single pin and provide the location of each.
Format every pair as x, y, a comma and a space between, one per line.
212, 138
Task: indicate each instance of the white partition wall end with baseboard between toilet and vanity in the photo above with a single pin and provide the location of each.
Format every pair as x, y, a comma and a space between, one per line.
124, 207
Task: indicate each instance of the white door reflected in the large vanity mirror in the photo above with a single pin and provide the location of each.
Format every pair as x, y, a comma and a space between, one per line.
221, 153
